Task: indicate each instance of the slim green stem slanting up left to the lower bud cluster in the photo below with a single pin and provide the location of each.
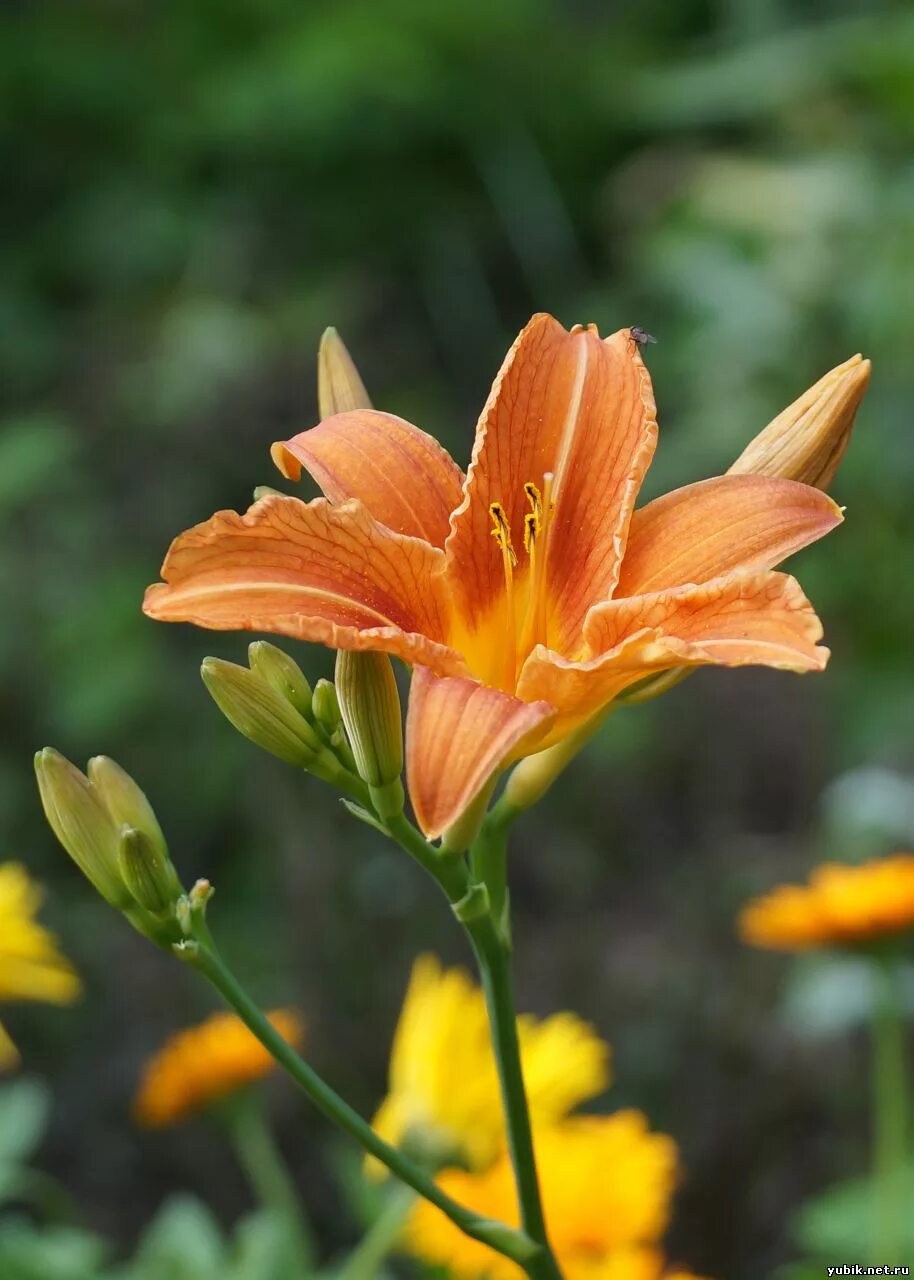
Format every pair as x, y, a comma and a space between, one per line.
514, 1245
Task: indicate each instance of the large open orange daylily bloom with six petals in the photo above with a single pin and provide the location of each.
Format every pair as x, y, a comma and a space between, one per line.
527, 595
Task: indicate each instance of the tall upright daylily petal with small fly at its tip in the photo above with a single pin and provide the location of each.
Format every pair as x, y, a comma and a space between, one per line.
582, 409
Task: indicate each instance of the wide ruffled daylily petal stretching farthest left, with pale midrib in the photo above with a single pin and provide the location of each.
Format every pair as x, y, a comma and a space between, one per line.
316, 572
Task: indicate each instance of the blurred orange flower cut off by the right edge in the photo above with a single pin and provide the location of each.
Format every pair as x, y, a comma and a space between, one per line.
842, 904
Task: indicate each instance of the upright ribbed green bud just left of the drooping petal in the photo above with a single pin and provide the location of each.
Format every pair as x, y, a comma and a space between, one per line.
371, 707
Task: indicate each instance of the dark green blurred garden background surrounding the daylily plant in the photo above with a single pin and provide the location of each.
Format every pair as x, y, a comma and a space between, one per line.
194, 191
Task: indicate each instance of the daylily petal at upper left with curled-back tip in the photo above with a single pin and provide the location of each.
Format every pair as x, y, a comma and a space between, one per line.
403, 476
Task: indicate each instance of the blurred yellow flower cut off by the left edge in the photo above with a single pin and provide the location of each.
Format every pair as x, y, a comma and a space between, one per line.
31, 967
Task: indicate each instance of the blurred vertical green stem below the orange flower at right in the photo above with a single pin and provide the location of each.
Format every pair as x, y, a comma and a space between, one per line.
892, 1121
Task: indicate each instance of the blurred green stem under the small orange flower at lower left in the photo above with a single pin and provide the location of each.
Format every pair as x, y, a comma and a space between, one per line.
267, 1172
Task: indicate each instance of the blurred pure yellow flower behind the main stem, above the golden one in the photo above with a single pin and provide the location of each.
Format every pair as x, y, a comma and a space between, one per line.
445, 1098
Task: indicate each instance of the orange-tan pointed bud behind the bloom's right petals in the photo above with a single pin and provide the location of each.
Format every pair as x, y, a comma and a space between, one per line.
808, 440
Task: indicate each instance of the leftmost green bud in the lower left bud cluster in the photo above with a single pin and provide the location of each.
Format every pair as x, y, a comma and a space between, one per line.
83, 824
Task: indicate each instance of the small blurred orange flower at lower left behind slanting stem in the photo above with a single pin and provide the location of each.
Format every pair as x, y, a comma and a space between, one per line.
205, 1064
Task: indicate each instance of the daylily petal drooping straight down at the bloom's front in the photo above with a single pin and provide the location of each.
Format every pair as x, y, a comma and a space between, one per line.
458, 734
